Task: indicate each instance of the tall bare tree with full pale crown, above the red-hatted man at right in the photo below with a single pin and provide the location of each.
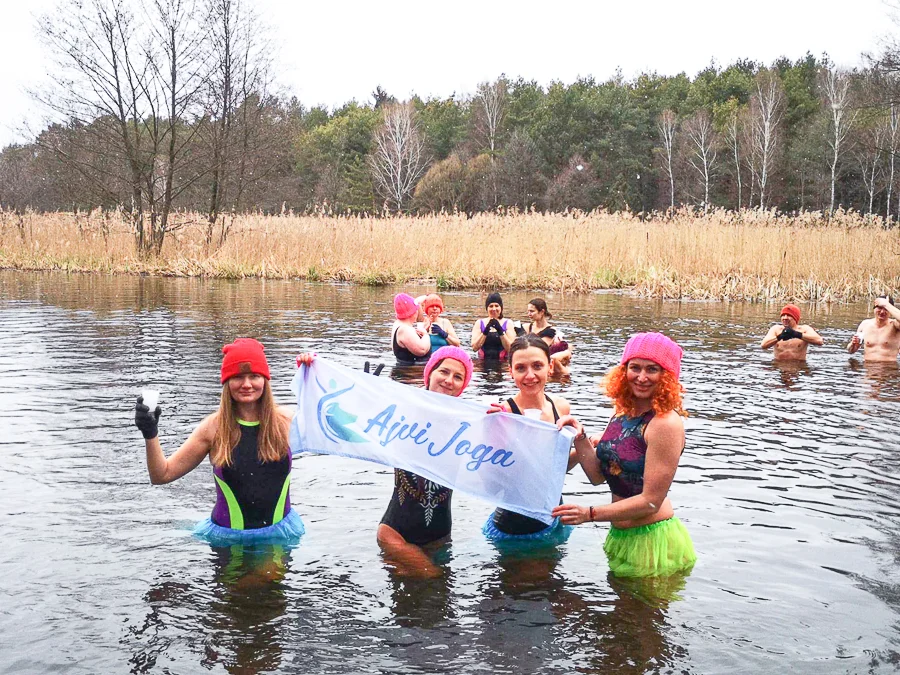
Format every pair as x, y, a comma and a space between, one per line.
766, 110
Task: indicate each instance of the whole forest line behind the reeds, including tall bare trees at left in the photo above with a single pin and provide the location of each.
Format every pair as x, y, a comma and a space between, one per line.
168, 106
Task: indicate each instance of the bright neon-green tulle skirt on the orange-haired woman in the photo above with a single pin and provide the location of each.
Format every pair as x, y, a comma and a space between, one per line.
654, 550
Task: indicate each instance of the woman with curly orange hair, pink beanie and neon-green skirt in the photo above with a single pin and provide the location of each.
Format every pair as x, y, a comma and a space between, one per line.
638, 455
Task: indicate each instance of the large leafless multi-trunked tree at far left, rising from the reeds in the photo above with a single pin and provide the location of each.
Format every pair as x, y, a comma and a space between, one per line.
127, 81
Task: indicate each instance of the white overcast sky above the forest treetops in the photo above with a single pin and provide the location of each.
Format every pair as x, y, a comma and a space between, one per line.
332, 52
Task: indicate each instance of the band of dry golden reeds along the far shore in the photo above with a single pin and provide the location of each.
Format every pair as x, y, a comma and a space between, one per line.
739, 256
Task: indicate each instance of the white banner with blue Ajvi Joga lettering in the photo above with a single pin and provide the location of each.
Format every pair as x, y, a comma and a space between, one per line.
508, 460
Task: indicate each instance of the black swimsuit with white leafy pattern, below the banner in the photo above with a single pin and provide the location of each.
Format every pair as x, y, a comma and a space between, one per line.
419, 509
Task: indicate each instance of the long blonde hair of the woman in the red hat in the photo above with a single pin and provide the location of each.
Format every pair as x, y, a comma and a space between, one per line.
273, 430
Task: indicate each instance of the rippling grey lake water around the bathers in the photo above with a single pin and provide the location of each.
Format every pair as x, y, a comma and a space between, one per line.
789, 488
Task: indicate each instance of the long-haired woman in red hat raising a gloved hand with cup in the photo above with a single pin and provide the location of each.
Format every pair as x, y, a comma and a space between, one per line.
246, 440
